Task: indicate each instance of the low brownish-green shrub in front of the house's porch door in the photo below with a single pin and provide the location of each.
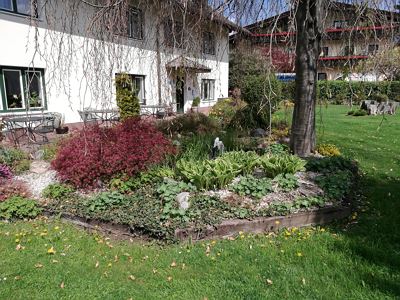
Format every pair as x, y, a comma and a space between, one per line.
189, 123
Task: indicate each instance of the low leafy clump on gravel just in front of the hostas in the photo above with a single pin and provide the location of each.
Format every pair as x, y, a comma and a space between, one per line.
252, 187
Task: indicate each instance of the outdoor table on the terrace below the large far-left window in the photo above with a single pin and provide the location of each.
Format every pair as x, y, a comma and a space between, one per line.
30, 126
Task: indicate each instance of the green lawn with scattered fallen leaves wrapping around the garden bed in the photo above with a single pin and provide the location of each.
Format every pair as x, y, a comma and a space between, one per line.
357, 259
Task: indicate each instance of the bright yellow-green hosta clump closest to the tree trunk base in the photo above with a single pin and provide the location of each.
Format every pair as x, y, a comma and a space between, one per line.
274, 165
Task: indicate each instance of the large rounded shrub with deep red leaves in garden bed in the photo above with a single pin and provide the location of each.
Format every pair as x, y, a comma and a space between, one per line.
98, 153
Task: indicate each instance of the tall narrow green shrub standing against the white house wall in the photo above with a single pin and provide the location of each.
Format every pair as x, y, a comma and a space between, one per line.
127, 101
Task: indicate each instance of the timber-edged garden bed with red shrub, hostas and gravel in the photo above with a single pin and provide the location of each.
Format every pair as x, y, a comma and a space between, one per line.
167, 190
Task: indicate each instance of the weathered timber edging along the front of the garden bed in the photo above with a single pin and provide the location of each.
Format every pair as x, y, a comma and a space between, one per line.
226, 228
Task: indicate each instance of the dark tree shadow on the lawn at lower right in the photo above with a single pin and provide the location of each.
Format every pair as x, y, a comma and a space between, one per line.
375, 237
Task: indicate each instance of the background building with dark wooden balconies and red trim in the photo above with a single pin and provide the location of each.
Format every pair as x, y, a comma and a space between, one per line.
350, 34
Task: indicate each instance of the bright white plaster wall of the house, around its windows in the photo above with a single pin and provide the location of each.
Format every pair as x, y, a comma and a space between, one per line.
77, 79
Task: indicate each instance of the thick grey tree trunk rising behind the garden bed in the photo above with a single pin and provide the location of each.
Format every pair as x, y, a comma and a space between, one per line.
308, 20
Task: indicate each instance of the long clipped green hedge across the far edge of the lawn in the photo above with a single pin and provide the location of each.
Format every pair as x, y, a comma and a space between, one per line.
342, 92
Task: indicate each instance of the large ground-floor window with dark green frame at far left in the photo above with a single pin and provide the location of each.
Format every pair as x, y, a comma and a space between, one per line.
21, 88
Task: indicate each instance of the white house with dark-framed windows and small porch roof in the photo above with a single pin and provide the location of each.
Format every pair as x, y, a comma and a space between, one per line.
57, 56
